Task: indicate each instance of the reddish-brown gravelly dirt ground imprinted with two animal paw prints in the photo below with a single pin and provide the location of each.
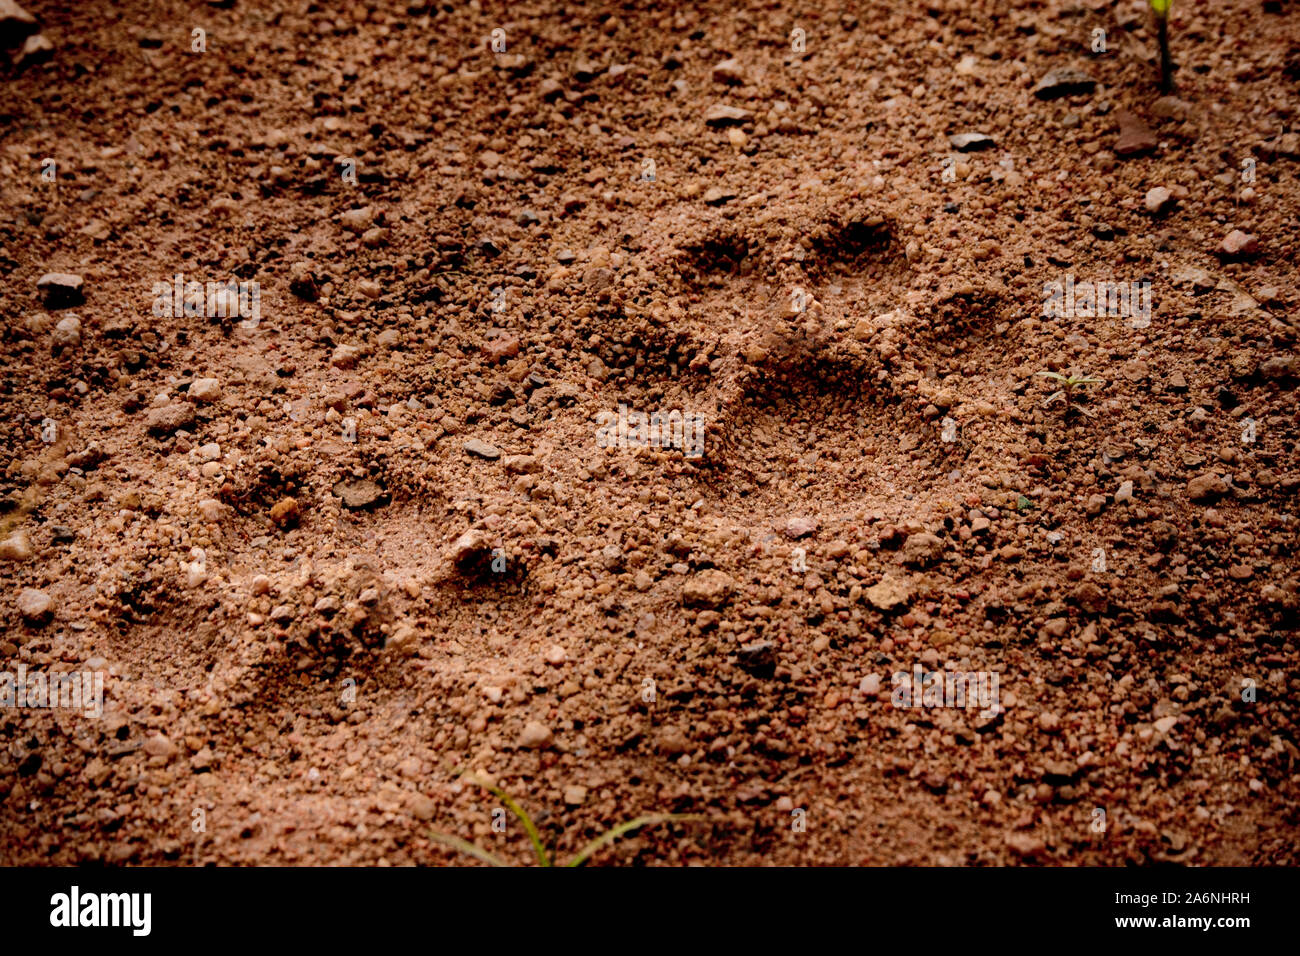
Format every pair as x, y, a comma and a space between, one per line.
367, 537
